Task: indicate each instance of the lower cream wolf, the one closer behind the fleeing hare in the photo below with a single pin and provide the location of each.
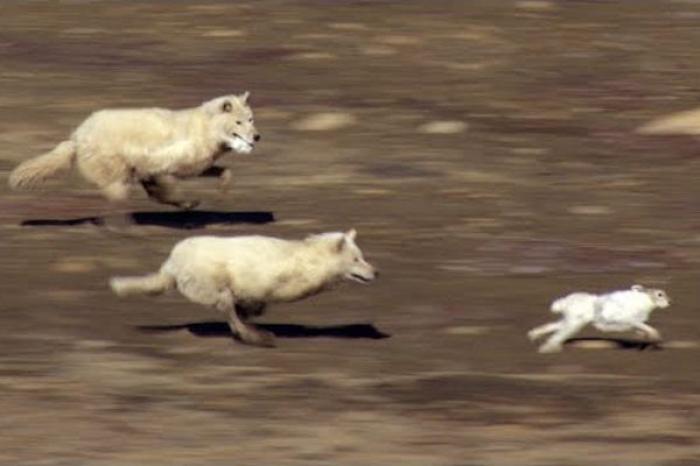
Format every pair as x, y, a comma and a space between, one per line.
241, 275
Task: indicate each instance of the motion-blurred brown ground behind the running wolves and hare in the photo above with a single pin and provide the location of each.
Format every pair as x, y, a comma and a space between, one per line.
486, 153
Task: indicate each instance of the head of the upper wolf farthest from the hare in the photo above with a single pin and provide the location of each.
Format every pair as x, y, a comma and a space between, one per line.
232, 121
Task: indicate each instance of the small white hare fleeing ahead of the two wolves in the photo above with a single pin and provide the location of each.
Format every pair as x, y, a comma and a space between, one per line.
617, 311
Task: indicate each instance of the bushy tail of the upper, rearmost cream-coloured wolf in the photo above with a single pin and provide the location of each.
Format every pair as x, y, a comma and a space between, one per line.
35, 171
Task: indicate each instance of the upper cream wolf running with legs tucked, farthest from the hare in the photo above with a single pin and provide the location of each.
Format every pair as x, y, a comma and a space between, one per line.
154, 146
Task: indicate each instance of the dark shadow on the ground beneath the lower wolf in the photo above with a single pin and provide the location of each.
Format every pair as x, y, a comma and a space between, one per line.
221, 329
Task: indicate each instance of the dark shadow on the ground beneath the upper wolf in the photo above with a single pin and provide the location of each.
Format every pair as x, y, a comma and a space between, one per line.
180, 219
